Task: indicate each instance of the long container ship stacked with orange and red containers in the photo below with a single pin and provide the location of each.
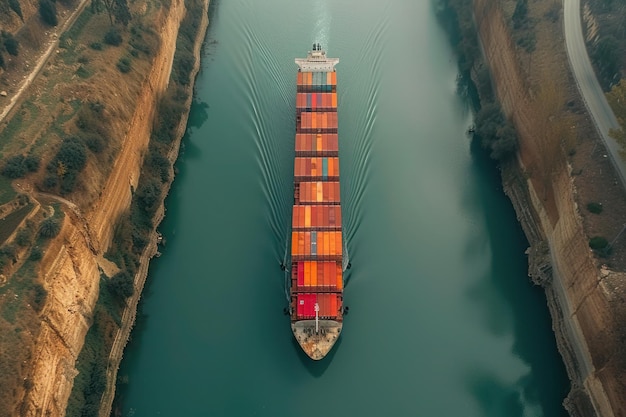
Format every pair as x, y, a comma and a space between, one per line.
316, 290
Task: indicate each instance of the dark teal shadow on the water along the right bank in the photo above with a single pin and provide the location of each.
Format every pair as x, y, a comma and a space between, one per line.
524, 312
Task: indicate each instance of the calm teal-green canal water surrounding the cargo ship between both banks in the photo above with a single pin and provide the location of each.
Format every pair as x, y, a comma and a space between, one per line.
443, 320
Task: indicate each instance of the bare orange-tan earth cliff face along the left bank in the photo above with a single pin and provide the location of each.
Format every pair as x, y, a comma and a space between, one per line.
70, 268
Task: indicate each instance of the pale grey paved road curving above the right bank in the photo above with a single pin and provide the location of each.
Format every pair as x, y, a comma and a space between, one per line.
588, 83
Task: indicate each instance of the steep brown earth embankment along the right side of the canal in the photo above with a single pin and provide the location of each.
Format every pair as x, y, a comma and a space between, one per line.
581, 298
